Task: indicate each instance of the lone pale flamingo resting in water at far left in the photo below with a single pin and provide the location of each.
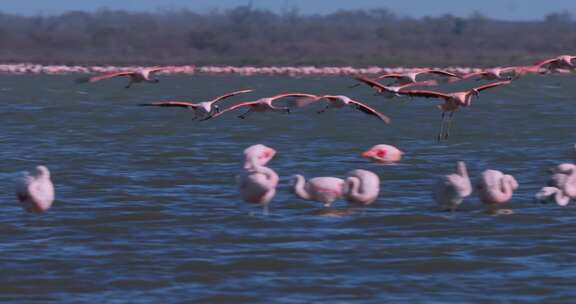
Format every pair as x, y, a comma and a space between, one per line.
35, 190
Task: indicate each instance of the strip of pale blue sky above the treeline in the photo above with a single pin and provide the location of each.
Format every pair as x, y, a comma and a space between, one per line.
501, 9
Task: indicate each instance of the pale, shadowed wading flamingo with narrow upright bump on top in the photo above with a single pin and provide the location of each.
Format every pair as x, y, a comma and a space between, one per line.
451, 189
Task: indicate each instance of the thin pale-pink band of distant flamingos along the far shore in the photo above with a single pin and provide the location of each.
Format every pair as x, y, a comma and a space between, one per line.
293, 71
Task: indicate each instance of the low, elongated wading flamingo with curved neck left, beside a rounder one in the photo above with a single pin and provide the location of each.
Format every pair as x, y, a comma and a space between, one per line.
321, 189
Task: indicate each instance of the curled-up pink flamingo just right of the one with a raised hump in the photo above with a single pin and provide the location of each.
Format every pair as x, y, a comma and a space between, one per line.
496, 188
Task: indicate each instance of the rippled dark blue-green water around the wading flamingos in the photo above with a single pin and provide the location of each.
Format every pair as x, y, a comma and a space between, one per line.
147, 208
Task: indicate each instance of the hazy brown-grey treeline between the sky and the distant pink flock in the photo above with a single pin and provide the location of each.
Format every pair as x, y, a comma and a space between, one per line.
245, 36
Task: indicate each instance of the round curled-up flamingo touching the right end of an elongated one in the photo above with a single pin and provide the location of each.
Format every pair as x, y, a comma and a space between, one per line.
362, 187
